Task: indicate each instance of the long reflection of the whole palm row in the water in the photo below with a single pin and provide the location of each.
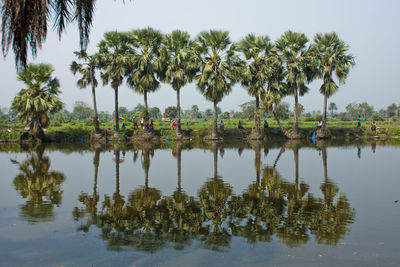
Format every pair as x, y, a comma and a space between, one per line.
270, 206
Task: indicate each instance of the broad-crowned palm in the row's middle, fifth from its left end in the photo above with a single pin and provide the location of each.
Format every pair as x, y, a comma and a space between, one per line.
218, 67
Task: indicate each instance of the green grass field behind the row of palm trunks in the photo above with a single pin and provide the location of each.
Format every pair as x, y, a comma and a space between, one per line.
76, 130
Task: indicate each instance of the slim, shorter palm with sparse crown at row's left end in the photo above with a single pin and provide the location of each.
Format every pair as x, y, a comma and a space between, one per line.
87, 69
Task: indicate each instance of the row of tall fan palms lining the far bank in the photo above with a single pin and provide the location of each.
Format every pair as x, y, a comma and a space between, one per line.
144, 58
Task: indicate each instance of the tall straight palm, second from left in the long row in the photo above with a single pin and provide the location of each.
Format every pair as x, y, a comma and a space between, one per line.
113, 64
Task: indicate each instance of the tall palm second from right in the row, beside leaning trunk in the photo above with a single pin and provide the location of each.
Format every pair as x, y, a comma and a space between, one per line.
292, 49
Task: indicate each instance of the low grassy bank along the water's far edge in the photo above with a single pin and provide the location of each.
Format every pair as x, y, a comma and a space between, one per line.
69, 134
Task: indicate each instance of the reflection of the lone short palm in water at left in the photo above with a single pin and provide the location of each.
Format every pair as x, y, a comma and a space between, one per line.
41, 186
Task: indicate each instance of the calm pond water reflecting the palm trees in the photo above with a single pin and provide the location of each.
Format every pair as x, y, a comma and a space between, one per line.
240, 204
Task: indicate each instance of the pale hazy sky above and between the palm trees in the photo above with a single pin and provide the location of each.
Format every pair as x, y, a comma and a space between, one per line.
370, 28
